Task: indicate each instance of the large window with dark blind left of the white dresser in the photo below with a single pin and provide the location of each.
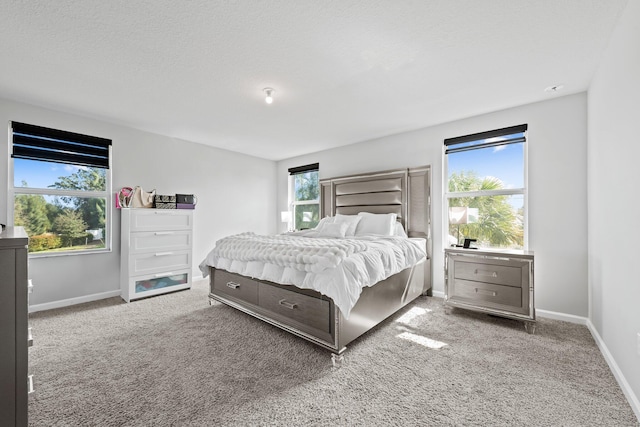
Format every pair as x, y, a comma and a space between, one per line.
60, 185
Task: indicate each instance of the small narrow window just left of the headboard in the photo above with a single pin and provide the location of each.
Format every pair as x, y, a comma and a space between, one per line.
304, 196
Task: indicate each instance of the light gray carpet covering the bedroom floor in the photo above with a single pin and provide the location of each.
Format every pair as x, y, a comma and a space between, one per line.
173, 360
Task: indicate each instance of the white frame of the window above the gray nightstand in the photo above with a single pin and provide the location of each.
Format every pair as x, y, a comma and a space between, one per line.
524, 191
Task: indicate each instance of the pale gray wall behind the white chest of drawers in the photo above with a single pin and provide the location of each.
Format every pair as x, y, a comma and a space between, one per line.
235, 192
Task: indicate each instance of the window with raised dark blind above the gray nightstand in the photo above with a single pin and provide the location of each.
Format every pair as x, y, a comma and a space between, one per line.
486, 189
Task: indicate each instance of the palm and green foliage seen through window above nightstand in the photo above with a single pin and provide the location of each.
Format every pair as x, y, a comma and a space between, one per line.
499, 224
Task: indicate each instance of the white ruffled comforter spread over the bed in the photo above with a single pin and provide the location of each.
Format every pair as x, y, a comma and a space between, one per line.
337, 268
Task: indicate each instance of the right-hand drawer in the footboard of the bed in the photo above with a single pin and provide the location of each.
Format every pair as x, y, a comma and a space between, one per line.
305, 309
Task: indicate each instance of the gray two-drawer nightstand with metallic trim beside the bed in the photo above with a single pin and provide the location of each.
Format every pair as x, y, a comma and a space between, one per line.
498, 282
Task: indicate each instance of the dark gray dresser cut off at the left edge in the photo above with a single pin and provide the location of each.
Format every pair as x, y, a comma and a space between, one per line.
15, 382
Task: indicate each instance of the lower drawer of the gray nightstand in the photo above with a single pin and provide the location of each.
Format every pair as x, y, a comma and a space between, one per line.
478, 292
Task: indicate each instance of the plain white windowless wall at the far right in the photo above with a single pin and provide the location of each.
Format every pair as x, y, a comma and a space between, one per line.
613, 156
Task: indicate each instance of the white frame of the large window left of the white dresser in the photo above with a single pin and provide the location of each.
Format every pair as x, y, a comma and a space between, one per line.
12, 191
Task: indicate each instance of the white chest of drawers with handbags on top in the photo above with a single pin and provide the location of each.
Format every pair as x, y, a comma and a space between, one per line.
156, 251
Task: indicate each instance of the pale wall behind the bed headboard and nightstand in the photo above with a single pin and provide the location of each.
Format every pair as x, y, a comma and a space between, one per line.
557, 188
